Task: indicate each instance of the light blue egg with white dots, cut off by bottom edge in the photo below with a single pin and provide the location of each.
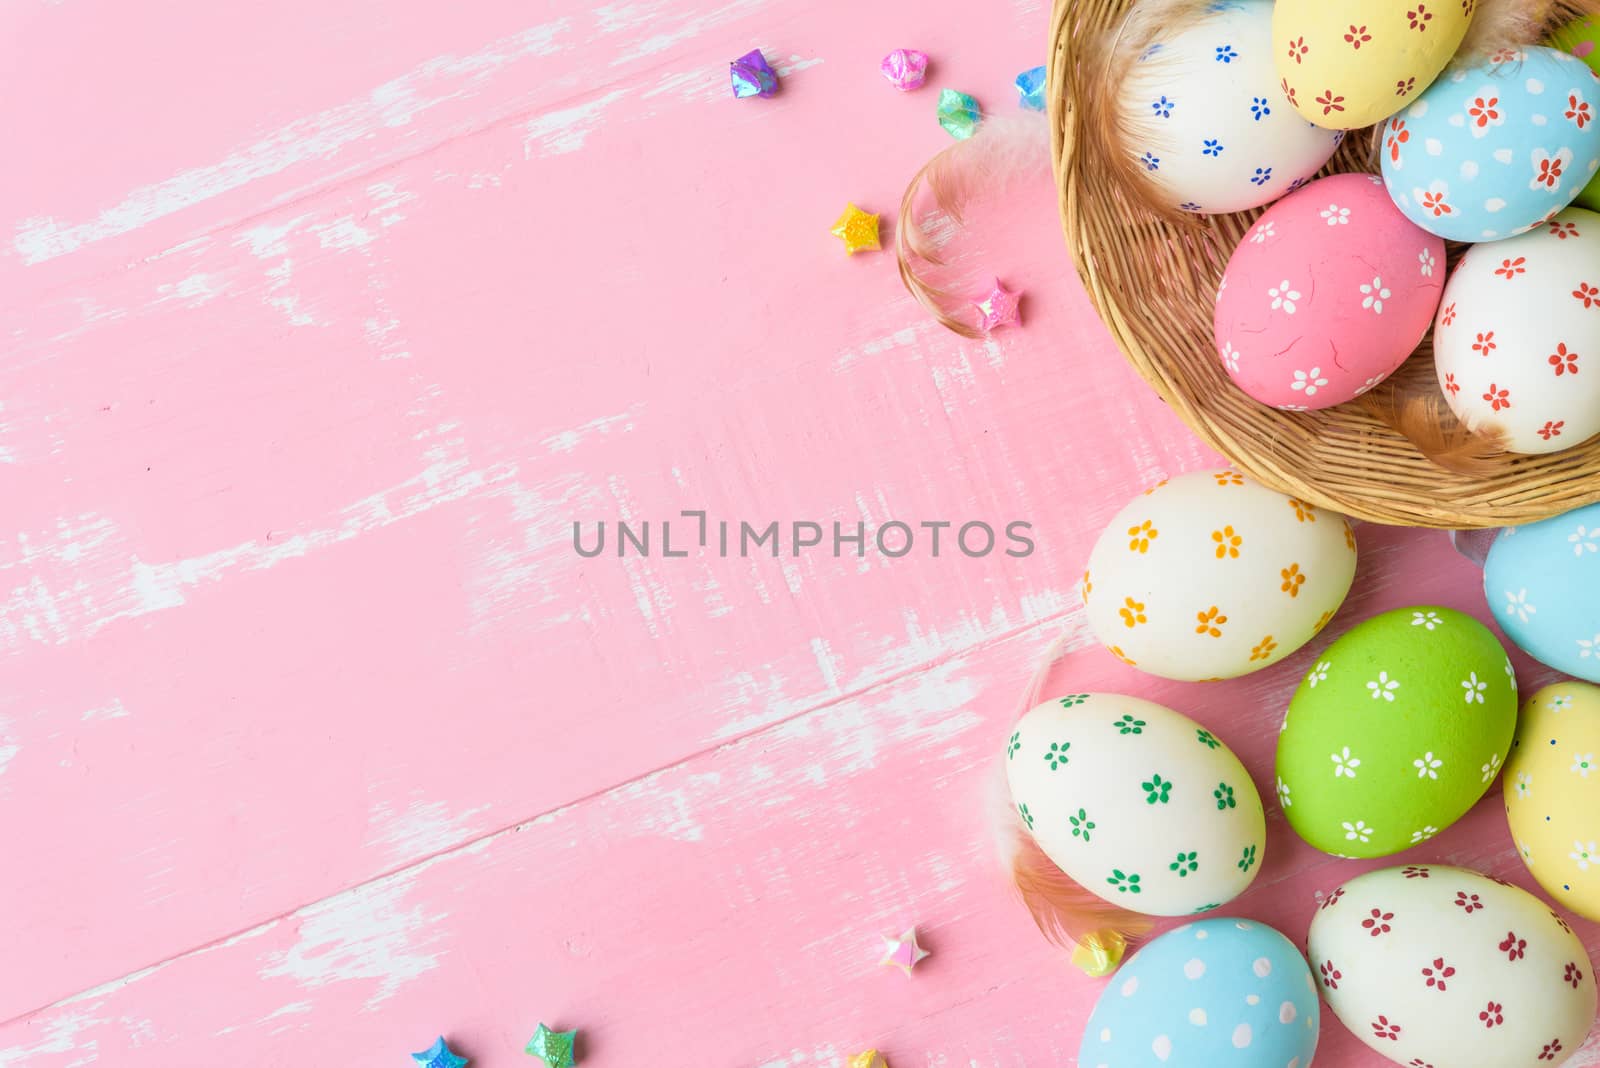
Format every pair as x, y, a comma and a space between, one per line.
1217, 994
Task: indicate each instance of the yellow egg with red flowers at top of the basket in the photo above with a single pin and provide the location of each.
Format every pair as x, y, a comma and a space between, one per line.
1356, 63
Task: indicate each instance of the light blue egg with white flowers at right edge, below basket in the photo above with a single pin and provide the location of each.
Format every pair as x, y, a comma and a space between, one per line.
1543, 583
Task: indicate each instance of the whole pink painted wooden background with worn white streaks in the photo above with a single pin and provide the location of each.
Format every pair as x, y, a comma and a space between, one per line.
322, 322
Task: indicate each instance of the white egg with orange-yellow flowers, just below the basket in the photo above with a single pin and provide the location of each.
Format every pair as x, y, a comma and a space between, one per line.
1214, 576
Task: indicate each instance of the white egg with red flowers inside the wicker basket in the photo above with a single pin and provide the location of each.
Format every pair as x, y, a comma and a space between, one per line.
1518, 329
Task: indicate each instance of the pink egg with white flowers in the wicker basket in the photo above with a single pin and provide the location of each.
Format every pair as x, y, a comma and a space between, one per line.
1327, 295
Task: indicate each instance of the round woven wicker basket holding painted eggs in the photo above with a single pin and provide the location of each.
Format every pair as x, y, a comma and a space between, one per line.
1154, 284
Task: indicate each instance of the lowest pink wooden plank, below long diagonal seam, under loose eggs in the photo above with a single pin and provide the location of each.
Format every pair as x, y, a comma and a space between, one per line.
727, 911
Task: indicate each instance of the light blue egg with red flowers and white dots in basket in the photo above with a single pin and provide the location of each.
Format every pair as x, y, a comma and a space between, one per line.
1497, 145
